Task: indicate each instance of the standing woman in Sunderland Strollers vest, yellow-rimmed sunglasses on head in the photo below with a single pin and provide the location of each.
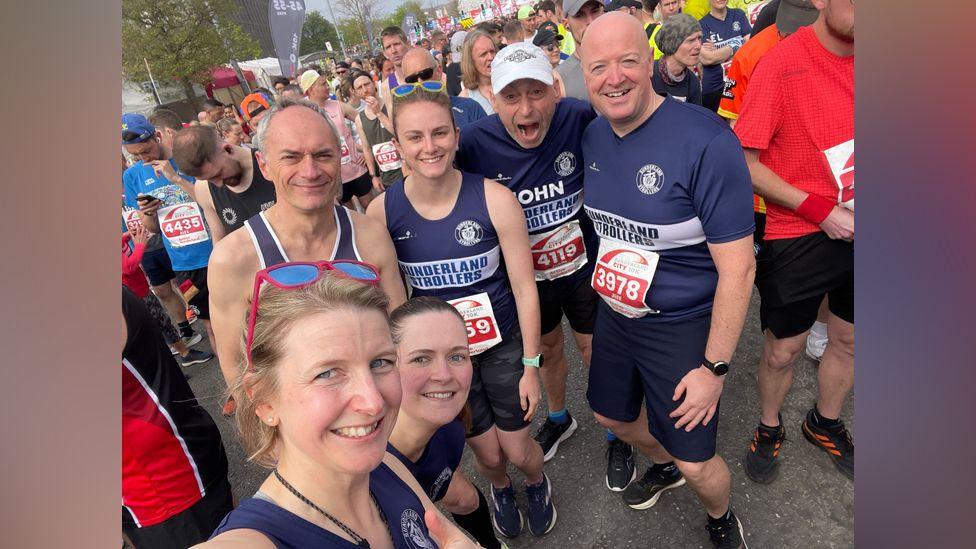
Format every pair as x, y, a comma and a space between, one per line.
462, 238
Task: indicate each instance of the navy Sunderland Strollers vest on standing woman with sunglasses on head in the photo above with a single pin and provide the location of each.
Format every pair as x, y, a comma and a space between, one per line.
454, 257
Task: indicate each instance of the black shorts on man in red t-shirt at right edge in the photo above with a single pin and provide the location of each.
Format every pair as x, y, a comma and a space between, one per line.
794, 274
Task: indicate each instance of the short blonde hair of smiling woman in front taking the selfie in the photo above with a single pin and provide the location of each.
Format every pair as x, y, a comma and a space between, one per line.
278, 311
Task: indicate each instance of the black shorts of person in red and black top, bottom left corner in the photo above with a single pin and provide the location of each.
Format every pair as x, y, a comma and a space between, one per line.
192, 526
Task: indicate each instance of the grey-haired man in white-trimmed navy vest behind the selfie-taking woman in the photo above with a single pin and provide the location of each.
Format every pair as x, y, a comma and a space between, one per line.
299, 151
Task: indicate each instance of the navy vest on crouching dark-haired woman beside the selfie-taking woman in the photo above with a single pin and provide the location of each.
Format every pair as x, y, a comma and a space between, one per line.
441, 457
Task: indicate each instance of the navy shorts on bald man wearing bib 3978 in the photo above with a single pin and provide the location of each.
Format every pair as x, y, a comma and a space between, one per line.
636, 361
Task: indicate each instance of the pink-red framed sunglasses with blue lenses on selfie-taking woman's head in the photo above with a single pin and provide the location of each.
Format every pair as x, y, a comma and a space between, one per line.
301, 274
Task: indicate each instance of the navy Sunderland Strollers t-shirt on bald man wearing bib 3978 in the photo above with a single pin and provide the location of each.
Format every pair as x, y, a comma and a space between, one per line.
676, 182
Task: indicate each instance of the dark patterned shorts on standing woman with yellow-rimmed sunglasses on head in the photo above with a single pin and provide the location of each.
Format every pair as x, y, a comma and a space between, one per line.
494, 398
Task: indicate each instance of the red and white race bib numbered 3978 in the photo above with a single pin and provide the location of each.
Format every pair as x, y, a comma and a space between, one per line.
622, 276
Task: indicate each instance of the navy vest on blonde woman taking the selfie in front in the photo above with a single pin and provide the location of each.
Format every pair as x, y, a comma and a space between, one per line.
403, 511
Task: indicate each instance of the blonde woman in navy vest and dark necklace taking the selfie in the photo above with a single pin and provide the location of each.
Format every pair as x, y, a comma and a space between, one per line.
317, 404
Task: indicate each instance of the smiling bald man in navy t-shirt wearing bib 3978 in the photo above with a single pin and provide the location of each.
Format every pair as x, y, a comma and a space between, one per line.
668, 190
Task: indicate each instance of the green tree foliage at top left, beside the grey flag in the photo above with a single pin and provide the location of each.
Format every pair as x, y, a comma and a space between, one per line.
182, 39
